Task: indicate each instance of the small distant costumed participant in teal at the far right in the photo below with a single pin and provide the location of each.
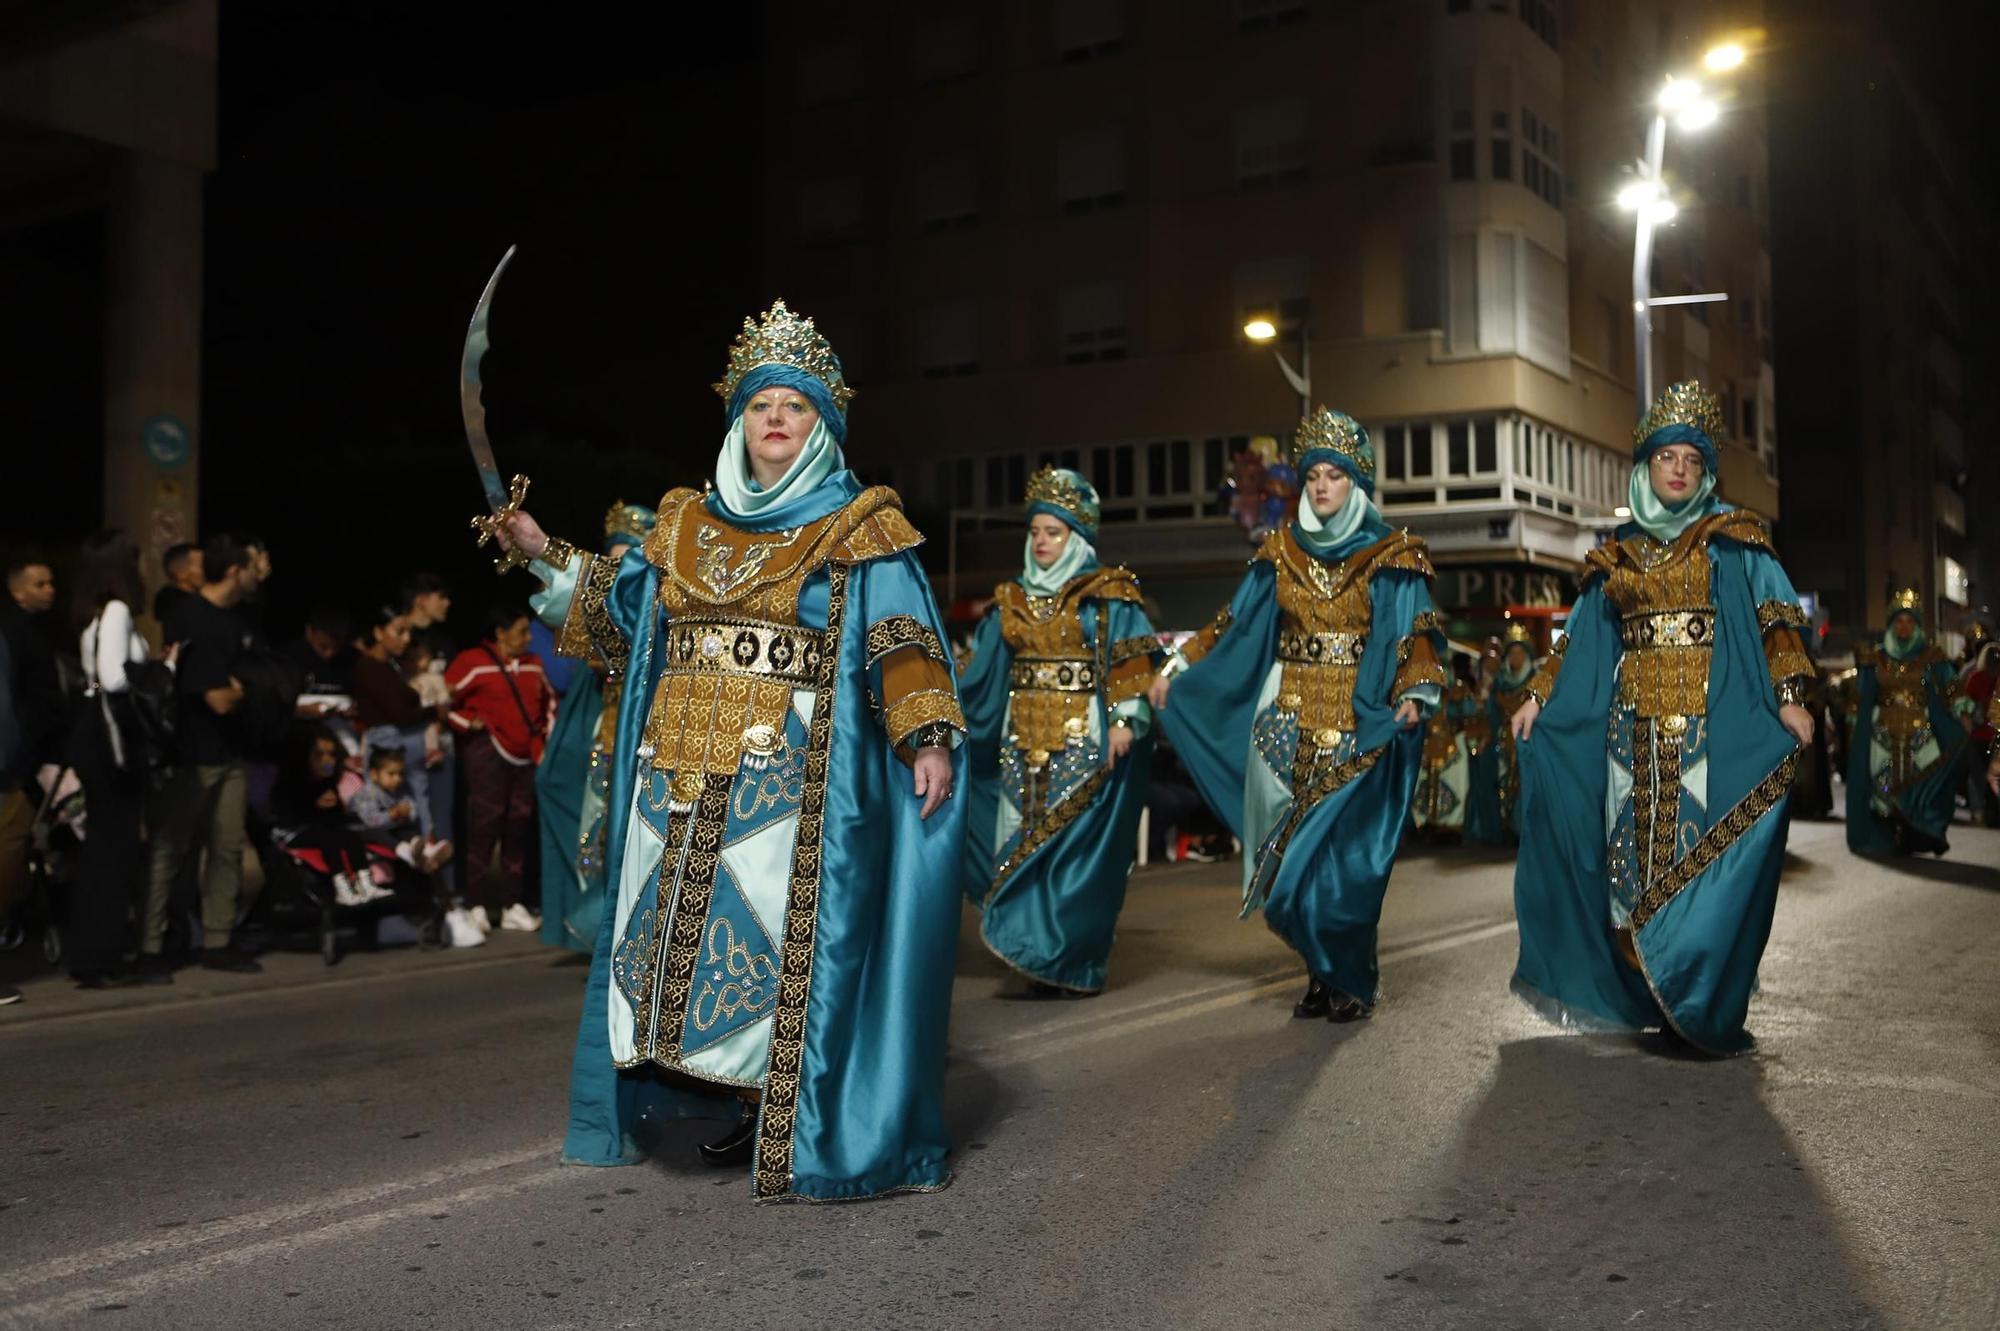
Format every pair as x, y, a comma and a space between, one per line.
1911, 738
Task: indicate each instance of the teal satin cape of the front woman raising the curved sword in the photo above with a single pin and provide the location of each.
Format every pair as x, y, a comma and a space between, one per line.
869, 1112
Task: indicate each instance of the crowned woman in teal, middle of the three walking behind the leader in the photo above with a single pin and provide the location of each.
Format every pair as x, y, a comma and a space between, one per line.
1297, 712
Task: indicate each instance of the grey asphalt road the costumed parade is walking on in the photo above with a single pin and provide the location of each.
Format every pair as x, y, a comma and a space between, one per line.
377, 1146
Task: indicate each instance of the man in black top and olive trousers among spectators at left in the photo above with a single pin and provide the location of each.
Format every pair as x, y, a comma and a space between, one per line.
205, 802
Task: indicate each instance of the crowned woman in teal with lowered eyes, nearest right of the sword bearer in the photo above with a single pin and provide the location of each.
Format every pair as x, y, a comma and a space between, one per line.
1061, 746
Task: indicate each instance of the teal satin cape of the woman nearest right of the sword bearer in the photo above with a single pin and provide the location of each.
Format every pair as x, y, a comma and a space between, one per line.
1055, 914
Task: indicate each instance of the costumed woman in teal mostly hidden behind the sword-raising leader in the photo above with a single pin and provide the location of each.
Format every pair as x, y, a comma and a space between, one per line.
575, 782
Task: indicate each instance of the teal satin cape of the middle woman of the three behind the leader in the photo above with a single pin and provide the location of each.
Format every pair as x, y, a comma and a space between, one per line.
1323, 894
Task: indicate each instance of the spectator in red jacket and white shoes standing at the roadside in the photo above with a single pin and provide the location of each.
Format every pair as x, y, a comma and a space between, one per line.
501, 708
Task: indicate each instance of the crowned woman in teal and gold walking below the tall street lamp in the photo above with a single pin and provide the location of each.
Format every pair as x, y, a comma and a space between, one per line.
1657, 752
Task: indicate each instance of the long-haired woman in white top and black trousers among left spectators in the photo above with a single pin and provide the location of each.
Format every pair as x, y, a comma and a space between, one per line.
115, 754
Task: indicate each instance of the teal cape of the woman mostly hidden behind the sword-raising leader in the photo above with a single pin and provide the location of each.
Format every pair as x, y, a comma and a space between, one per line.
571, 906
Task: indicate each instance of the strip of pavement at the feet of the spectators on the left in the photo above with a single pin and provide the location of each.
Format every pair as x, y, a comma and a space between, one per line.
53, 996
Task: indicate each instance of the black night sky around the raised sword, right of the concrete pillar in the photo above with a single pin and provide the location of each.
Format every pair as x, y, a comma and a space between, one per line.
377, 161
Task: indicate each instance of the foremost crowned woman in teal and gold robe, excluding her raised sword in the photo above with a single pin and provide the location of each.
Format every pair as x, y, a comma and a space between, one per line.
783, 844
